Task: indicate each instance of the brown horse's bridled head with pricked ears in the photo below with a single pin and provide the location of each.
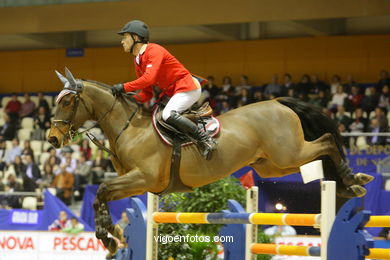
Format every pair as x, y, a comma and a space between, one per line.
70, 115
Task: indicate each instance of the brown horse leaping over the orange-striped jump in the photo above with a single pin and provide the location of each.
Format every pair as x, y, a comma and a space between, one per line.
268, 136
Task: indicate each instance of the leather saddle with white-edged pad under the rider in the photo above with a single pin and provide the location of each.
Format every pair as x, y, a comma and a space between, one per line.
202, 117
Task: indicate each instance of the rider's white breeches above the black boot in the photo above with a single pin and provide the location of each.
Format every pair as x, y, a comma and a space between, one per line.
181, 101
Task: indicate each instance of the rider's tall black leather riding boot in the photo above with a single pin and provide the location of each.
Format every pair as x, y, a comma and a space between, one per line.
205, 143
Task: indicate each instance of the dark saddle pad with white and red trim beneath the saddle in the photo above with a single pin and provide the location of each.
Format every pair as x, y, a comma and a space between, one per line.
212, 125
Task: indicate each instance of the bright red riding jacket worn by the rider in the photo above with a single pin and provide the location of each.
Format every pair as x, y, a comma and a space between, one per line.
157, 67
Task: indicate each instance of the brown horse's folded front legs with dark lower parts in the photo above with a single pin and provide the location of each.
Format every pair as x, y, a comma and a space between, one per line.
130, 184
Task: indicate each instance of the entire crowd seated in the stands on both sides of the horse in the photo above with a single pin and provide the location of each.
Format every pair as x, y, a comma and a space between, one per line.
28, 163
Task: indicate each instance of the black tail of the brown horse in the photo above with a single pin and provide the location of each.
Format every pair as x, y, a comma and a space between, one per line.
314, 124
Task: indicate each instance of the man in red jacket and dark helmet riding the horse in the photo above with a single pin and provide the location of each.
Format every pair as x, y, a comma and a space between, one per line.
155, 66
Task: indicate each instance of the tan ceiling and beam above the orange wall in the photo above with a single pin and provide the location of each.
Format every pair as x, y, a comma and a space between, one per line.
94, 23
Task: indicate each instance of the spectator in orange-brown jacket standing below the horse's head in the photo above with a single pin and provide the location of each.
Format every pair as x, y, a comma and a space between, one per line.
63, 182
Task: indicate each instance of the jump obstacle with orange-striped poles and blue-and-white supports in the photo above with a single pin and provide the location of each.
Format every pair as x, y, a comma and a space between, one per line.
144, 226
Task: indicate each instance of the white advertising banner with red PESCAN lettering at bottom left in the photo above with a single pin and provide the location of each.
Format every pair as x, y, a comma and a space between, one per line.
29, 245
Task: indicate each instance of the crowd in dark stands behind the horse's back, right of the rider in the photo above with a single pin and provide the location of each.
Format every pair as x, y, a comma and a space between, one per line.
356, 107
